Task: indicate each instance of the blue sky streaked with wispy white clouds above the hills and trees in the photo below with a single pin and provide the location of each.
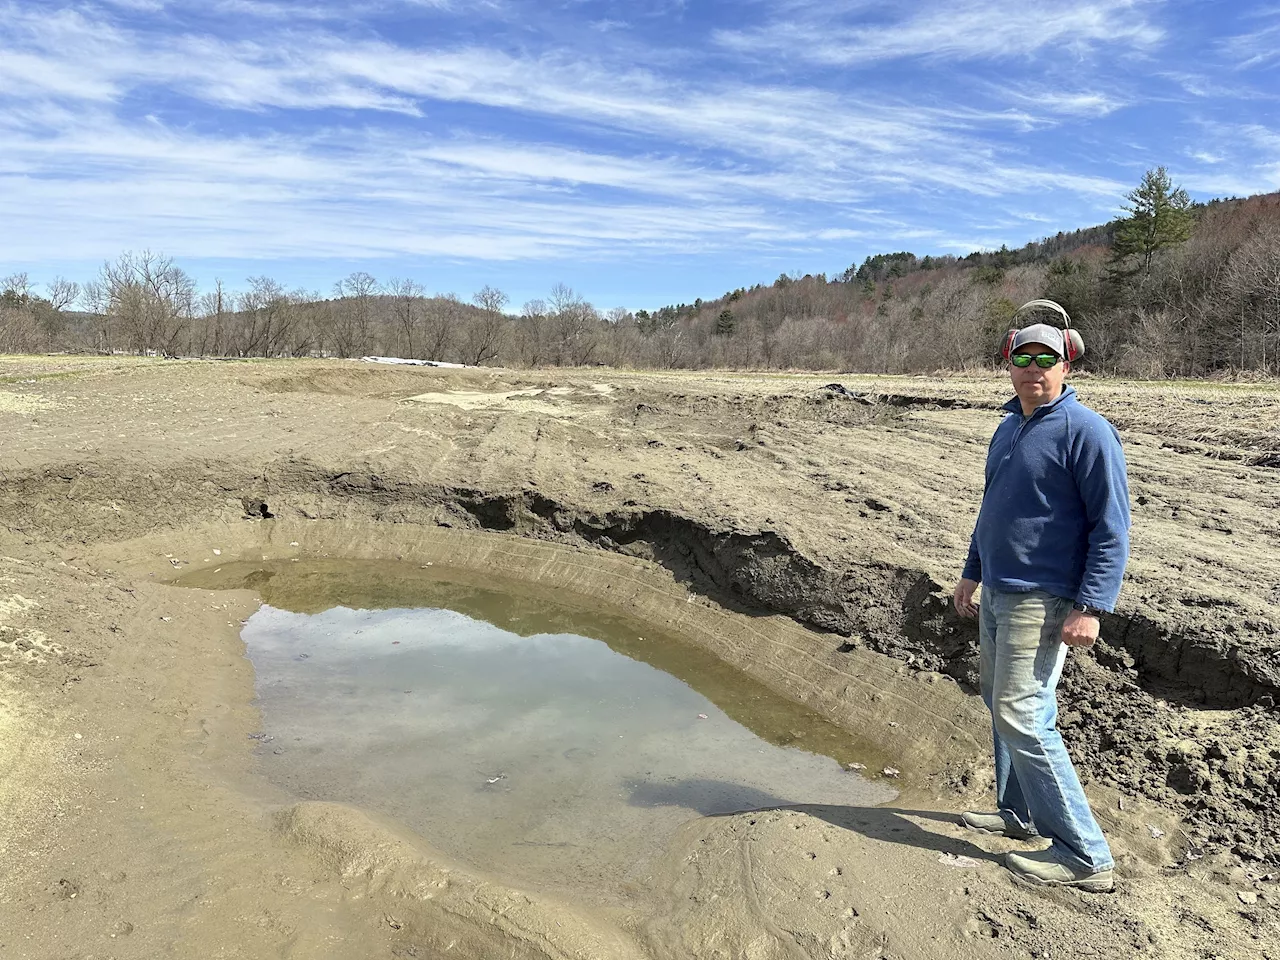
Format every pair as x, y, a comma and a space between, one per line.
643, 153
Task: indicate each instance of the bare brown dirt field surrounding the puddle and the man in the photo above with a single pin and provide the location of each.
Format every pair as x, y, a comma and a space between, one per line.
807, 536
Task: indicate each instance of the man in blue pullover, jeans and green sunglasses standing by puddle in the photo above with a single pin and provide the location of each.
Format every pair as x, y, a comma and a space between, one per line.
1050, 548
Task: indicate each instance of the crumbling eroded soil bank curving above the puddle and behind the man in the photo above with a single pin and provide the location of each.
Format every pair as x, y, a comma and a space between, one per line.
1126, 706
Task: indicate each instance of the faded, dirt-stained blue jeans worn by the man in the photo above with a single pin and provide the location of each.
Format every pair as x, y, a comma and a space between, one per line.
1036, 785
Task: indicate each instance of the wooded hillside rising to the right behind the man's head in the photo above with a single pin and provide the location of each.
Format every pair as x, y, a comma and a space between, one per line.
1206, 300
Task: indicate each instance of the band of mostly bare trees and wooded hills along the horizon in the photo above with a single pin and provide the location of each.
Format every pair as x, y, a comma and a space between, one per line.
1172, 289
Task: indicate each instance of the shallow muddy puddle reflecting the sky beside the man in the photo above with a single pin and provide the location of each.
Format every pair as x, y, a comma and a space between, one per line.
531, 738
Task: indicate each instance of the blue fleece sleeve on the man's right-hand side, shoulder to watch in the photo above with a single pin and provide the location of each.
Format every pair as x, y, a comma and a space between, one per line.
1103, 481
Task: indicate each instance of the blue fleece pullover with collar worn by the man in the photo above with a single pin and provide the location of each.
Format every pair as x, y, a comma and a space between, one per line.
1055, 509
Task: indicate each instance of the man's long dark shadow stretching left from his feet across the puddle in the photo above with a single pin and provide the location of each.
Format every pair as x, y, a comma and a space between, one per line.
716, 798
